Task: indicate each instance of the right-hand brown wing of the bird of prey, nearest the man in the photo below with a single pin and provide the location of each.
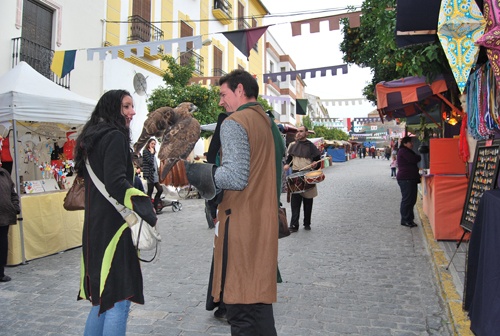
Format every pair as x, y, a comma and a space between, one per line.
177, 142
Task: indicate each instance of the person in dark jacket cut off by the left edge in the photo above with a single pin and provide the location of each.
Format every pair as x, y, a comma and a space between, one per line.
9, 208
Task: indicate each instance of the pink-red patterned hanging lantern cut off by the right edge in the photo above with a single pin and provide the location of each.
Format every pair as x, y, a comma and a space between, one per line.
491, 38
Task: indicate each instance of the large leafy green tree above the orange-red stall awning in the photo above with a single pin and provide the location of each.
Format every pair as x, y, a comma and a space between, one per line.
373, 45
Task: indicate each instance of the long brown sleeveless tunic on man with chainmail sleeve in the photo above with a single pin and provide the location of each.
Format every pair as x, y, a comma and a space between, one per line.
248, 222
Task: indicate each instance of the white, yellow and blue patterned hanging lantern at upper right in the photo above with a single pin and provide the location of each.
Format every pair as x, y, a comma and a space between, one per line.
460, 23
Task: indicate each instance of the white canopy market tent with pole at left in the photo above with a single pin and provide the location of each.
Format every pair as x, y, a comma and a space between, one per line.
26, 95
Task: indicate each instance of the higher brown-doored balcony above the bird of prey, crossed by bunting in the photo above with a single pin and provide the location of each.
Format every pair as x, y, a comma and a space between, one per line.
141, 30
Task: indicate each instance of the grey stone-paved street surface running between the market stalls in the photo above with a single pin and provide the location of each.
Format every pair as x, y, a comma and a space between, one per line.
357, 272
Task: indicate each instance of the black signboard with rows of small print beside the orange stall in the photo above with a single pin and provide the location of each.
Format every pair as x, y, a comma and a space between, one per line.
483, 177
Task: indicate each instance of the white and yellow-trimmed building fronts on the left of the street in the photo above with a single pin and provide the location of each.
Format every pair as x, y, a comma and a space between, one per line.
33, 29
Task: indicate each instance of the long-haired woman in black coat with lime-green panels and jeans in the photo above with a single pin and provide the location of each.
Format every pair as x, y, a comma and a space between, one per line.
111, 275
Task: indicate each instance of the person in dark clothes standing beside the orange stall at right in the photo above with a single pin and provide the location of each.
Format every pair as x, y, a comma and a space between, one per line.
408, 179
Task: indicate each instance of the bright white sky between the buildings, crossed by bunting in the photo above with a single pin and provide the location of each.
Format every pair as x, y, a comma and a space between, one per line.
314, 50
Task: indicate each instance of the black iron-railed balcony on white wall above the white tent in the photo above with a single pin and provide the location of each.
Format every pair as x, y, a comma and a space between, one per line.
38, 57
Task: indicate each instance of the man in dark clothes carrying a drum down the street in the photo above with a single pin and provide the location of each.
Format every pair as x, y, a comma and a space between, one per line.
302, 153
